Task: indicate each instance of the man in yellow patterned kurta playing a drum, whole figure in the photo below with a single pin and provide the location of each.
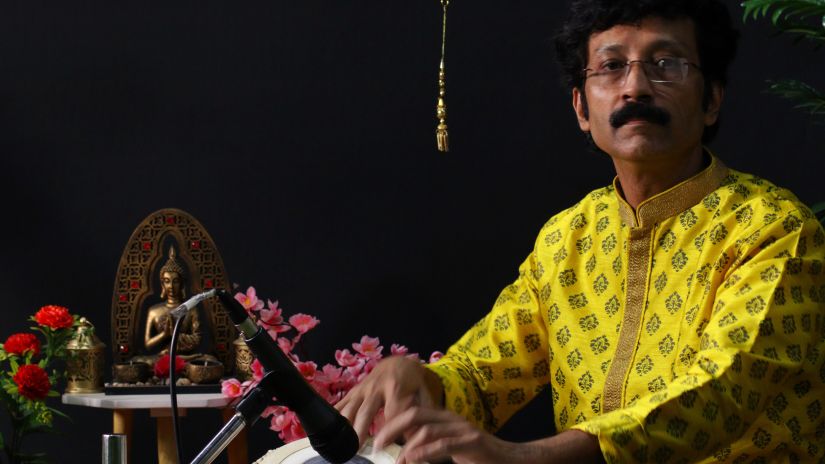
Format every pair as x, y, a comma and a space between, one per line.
677, 315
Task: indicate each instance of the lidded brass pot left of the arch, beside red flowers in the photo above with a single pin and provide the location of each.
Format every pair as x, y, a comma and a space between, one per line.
85, 359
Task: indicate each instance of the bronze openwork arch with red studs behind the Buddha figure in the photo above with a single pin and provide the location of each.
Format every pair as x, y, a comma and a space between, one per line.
137, 285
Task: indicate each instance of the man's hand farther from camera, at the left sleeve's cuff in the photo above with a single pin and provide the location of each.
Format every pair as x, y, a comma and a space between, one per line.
396, 384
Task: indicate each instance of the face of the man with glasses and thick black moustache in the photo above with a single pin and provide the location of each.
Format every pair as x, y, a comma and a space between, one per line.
637, 139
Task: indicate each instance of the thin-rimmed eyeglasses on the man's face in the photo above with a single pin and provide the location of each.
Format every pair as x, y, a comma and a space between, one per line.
662, 71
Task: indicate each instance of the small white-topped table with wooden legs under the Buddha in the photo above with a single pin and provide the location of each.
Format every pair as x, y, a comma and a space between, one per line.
123, 406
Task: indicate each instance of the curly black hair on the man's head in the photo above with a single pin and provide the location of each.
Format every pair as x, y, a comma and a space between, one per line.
715, 35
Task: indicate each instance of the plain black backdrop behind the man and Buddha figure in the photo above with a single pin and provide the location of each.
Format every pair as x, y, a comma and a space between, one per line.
301, 135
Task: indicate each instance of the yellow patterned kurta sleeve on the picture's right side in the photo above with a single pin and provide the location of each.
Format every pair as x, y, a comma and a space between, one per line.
755, 381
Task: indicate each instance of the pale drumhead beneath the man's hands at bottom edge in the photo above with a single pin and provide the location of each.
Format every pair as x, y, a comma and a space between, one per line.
300, 452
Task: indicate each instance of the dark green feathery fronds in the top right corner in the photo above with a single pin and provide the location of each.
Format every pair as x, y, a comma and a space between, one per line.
806, 20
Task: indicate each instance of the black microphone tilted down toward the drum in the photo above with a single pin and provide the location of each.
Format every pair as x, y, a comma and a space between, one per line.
329, 433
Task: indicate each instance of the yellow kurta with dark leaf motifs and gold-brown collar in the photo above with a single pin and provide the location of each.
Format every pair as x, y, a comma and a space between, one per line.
689, 330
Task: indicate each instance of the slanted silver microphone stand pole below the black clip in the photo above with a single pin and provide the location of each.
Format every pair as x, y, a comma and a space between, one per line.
247, 412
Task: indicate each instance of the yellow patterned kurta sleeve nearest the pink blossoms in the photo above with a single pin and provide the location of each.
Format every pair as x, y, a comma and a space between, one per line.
501, 362
